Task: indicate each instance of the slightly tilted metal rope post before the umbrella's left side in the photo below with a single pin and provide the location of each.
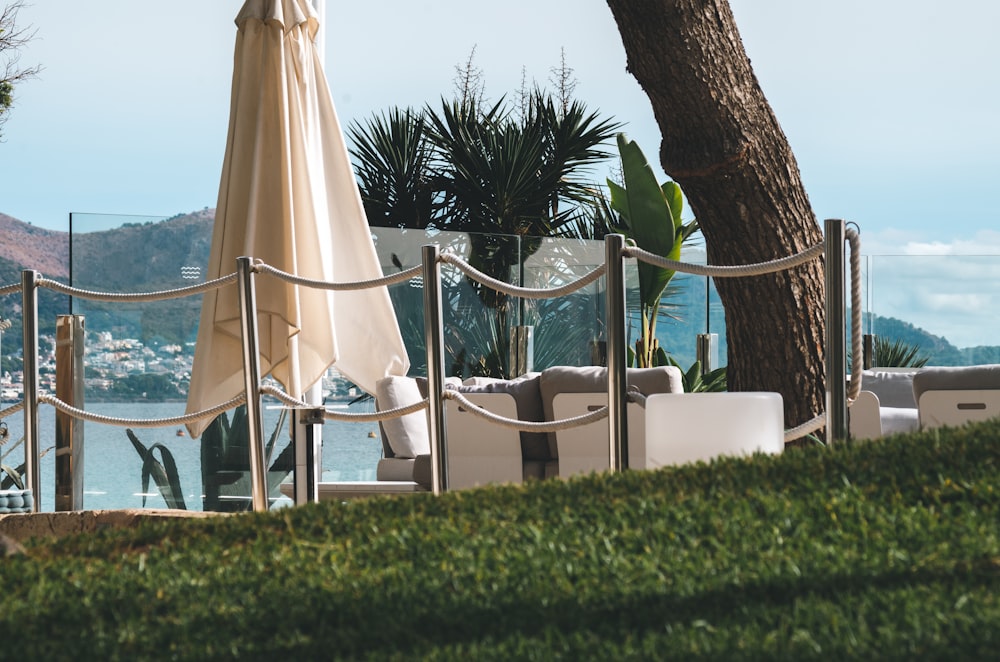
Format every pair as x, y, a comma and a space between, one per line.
251, 379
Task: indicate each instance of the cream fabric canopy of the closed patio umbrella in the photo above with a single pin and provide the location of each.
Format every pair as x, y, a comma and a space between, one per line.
288, 197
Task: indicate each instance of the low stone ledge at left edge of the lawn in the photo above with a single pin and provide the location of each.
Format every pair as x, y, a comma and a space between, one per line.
25, 526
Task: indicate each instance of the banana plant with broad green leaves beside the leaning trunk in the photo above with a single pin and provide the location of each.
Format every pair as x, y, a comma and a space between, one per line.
649, 214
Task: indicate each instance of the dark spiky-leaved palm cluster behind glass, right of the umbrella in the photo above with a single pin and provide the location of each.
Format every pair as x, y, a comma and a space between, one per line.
506, 178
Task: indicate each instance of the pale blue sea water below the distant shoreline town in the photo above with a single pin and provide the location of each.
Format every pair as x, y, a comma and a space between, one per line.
113, 468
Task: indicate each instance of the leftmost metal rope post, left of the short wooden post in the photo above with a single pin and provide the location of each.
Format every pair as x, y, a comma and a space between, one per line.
29, 312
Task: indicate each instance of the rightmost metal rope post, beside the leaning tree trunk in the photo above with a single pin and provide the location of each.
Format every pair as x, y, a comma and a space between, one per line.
836, 331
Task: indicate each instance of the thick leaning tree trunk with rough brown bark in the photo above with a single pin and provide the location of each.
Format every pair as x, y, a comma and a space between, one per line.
723, 145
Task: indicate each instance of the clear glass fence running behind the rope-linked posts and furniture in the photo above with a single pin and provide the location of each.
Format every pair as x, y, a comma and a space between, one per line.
138, 355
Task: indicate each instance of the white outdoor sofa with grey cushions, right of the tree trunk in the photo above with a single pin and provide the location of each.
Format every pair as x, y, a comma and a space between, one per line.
909, 399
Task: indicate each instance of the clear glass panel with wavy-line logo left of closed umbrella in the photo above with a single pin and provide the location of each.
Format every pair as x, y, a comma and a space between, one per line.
139, 355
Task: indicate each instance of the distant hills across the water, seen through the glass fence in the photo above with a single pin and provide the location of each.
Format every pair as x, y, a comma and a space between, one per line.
160, 255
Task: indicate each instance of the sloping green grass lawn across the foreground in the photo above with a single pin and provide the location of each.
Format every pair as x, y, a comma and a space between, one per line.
887, 550
